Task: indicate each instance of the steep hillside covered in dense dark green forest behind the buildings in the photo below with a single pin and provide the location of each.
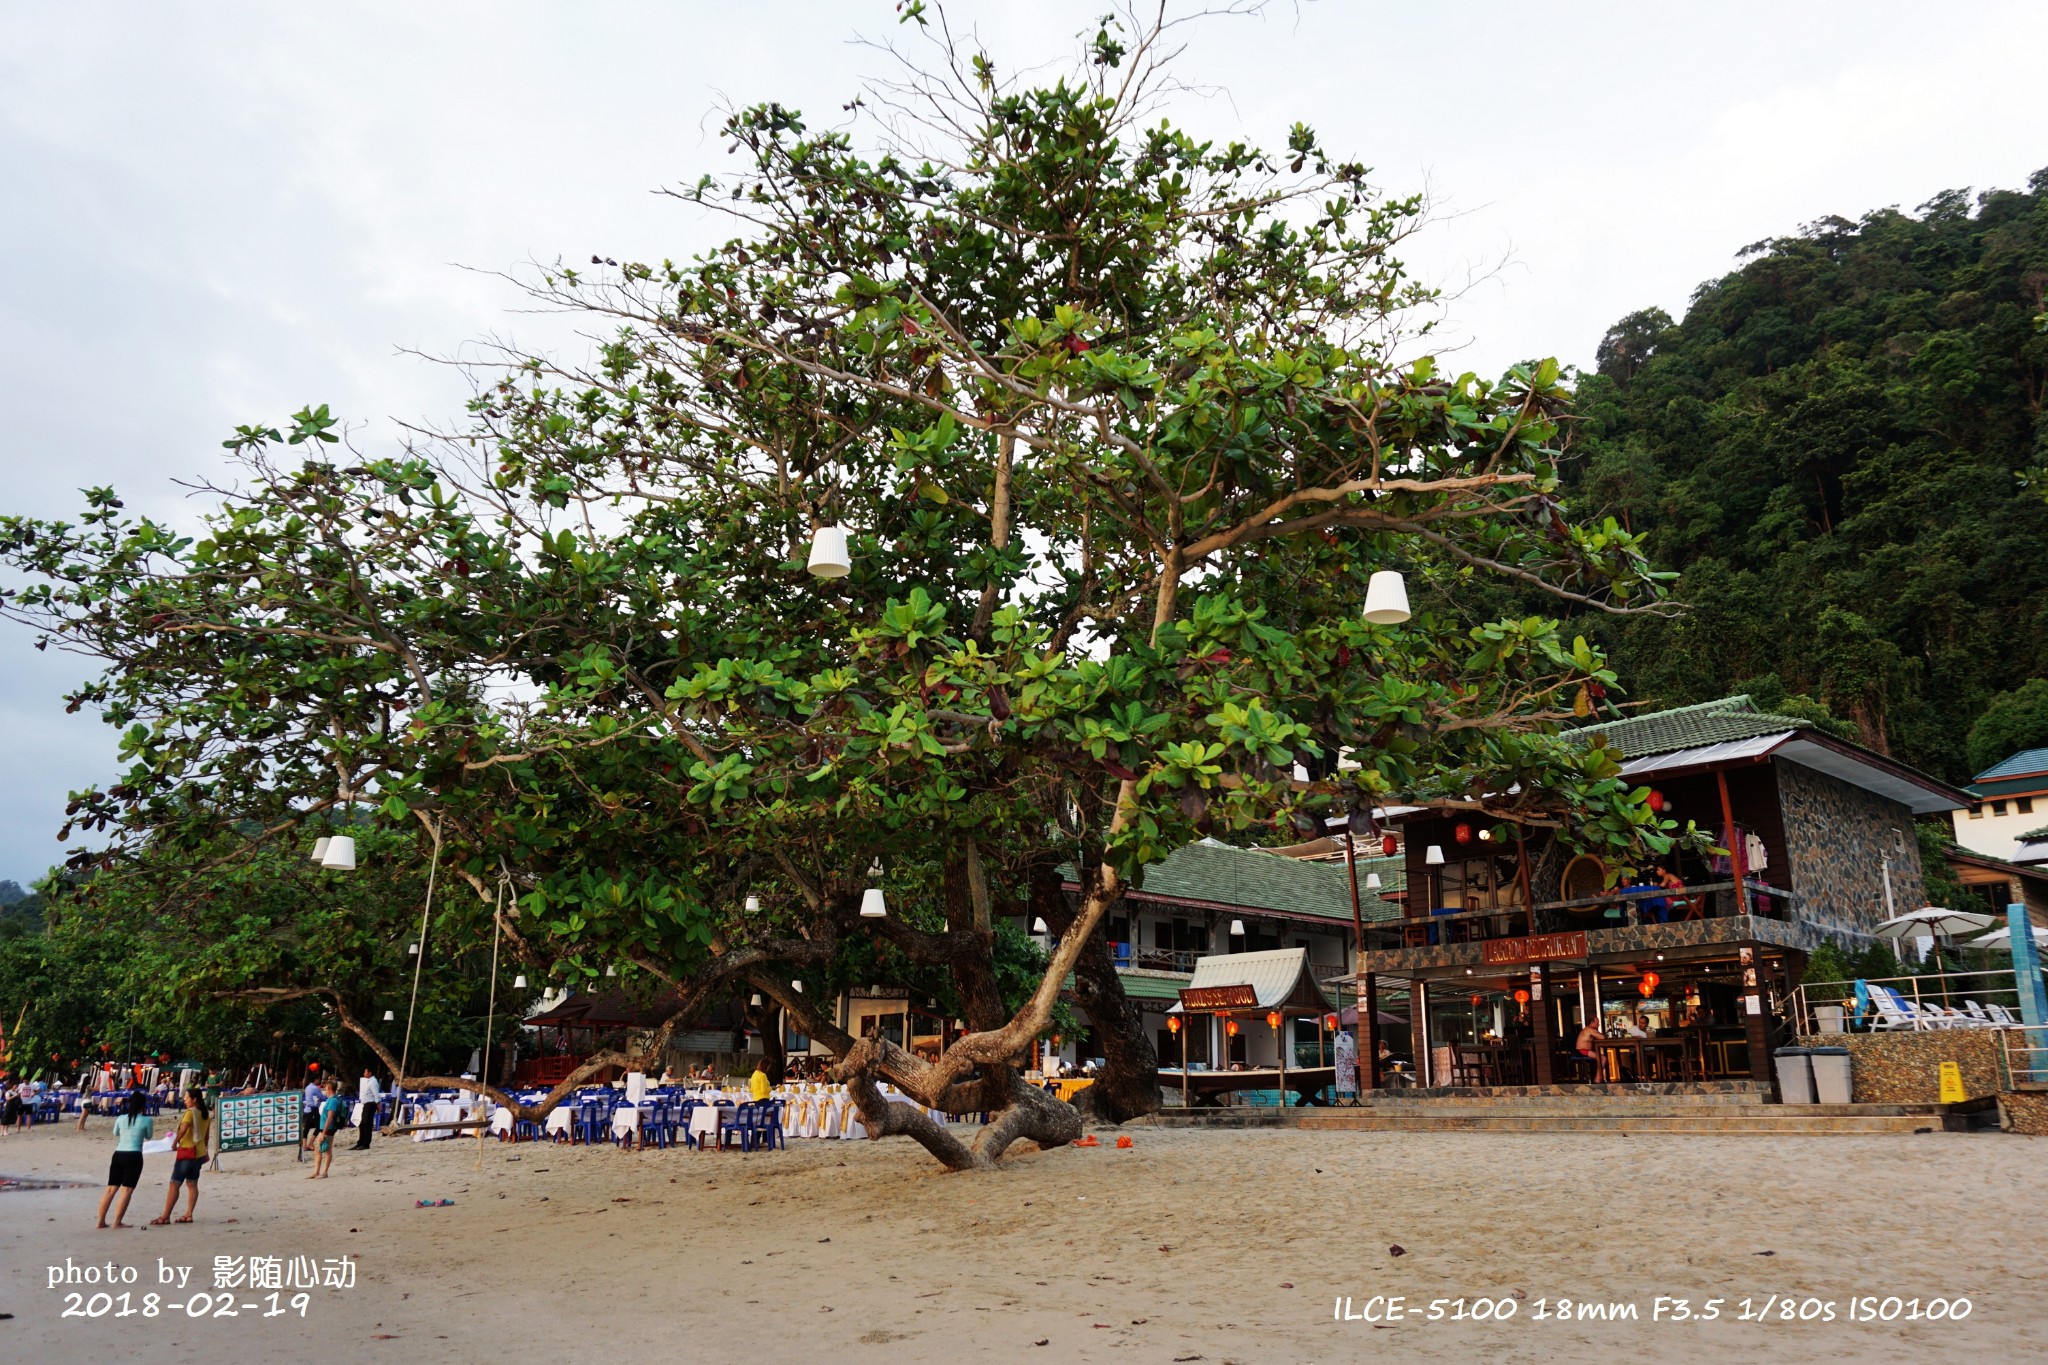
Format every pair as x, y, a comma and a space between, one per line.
1832, 449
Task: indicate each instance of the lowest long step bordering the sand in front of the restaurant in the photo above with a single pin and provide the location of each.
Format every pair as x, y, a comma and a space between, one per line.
1773, 1120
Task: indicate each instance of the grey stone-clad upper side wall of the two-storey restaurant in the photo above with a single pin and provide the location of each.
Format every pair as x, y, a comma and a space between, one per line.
1838, 838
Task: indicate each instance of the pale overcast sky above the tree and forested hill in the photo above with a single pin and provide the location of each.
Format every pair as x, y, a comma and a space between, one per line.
214, 214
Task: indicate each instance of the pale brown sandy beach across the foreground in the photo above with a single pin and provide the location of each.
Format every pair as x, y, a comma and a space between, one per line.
1191, 1245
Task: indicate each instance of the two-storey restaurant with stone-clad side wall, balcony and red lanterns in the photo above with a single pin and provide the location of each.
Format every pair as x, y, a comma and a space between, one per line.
1508, 942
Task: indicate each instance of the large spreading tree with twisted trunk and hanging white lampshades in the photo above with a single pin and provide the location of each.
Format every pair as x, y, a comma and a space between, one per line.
1117, 427
